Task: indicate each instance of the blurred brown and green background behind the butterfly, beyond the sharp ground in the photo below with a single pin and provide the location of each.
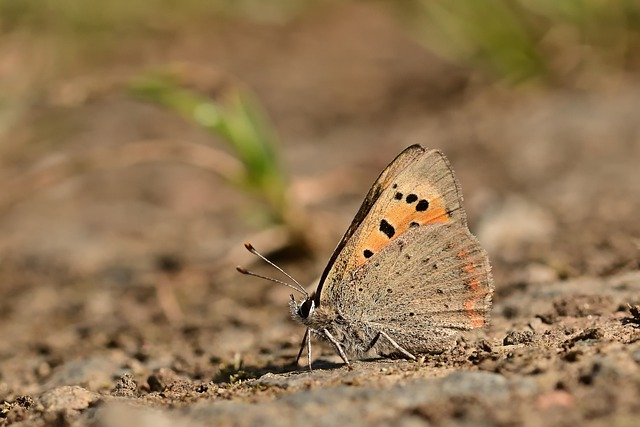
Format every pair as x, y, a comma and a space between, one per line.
142, 142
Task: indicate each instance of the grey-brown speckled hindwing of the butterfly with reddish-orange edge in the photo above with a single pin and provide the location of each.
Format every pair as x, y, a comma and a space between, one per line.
424, 288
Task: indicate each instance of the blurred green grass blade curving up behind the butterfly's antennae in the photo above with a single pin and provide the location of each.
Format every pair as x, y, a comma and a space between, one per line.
234, 116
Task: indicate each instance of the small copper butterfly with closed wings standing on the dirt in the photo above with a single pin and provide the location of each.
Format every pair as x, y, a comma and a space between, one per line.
408, 275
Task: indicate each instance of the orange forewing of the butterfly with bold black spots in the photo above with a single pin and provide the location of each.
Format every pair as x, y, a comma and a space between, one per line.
417, 188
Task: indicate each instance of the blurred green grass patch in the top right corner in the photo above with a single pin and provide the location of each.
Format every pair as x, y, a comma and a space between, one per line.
523, 40
